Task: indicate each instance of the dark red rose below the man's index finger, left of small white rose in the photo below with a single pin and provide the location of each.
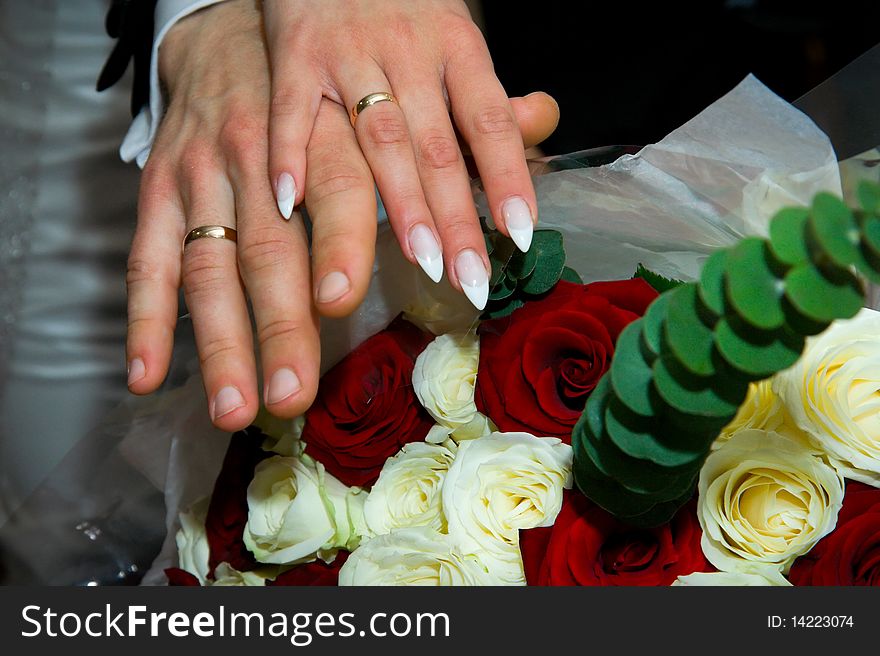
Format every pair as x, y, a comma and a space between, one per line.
366, 408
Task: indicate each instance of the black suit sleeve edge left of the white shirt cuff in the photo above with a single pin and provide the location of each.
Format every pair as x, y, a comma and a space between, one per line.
130, 22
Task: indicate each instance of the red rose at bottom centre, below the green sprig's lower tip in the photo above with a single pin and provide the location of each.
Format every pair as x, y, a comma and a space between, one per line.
587, 546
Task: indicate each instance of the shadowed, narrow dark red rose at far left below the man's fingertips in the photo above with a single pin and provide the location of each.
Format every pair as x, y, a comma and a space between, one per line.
227, 511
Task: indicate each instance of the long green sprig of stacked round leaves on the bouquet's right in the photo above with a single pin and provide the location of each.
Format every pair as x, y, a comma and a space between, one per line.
680, 373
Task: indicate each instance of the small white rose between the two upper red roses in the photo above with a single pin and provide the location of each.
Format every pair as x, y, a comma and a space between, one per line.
444, 377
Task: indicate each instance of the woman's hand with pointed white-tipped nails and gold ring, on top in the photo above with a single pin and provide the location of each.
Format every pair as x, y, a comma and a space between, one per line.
432, 58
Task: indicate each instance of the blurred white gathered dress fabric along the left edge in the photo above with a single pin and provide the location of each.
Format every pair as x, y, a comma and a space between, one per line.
67, 213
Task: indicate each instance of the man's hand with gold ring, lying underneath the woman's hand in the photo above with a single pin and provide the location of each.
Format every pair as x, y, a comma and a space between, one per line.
208, 166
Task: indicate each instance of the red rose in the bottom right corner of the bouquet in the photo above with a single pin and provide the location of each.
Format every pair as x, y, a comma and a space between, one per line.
849, 555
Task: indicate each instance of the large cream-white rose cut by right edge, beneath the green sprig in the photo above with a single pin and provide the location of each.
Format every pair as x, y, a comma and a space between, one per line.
833, 393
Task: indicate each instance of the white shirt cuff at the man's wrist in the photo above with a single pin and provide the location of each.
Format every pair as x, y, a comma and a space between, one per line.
139, 139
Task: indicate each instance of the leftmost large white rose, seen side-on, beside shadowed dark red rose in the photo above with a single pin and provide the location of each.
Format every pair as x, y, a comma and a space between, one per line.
297, 511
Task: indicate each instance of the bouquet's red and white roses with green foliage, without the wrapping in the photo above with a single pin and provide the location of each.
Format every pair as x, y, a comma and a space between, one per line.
514, 448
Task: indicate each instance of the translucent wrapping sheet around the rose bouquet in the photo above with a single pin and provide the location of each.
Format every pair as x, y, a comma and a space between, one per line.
667, 206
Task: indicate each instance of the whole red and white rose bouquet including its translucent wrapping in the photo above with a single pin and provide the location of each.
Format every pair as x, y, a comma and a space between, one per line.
567, 435
